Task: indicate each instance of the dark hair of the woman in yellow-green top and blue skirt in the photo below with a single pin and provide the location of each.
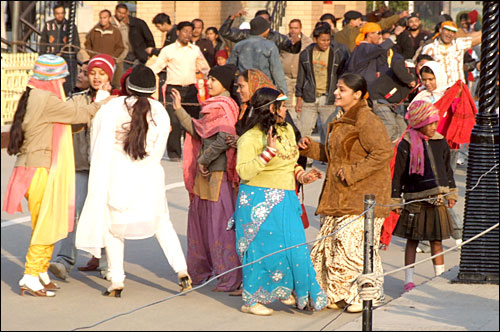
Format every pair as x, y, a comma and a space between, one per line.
259, 110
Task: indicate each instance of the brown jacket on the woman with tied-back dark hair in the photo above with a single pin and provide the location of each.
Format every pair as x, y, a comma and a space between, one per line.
358, 142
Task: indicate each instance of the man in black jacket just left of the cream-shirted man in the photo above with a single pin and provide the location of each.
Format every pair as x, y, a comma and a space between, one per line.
139, 35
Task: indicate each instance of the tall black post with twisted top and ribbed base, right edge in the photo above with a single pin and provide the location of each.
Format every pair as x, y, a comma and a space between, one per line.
479, 259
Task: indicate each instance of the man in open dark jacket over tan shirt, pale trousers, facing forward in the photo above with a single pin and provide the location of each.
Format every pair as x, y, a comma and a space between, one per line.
320, 65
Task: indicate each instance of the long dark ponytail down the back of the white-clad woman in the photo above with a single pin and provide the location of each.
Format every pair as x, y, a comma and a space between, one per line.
137, 129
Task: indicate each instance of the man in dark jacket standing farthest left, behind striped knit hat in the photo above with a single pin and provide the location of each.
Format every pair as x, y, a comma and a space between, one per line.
54, 36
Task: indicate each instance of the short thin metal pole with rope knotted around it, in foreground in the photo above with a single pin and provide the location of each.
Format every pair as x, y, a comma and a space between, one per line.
368, 256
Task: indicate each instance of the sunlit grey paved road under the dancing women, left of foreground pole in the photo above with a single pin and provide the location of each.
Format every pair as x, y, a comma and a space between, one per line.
150, 280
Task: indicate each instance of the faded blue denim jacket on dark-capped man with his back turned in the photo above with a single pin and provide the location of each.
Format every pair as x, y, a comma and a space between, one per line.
256, 52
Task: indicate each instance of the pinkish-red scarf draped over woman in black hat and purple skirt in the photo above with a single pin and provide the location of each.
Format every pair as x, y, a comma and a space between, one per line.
219, 115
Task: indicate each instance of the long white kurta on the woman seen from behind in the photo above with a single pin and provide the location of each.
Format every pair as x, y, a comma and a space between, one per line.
125, 197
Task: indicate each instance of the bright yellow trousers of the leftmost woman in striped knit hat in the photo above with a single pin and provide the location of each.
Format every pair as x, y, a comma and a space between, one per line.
38, 256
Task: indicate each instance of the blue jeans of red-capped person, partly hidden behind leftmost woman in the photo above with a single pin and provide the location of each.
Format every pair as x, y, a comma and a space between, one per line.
67, 252
